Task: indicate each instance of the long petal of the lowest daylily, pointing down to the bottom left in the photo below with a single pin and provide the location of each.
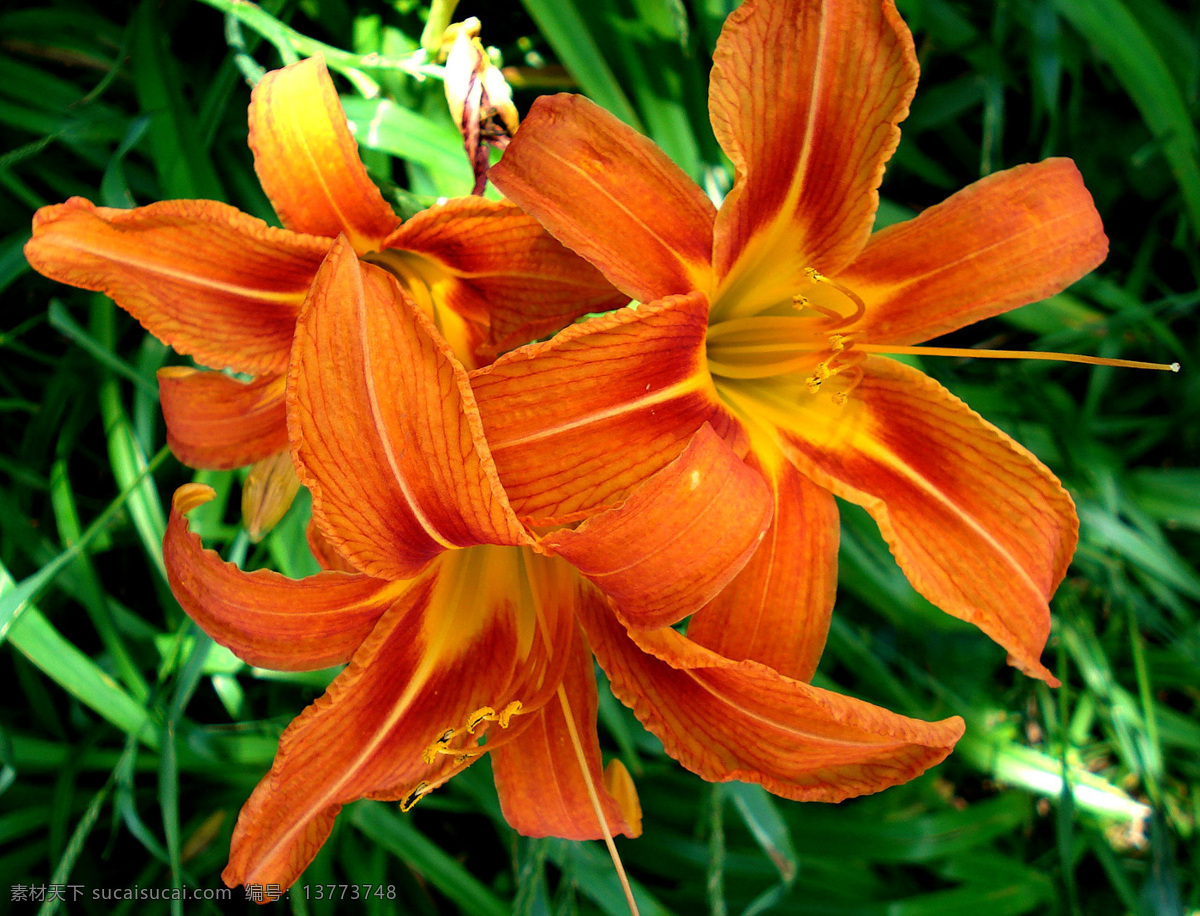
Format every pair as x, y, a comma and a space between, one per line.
460, 640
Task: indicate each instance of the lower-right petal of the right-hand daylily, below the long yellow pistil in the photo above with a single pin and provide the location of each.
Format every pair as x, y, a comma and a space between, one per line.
980, 526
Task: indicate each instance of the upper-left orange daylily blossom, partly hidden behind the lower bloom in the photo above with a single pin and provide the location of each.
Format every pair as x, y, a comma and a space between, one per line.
225, 288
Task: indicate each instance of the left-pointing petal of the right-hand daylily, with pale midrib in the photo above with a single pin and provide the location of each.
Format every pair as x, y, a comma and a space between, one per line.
584, 418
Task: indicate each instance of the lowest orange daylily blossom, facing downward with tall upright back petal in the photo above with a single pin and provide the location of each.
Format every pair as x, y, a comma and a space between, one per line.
457, 622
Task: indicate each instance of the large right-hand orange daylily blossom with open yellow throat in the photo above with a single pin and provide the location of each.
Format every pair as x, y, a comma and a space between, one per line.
770, 320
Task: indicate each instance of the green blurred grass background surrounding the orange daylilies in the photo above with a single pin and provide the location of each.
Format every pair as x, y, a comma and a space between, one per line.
129, 743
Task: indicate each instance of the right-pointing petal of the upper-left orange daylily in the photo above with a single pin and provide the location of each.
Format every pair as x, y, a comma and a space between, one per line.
496, 266
